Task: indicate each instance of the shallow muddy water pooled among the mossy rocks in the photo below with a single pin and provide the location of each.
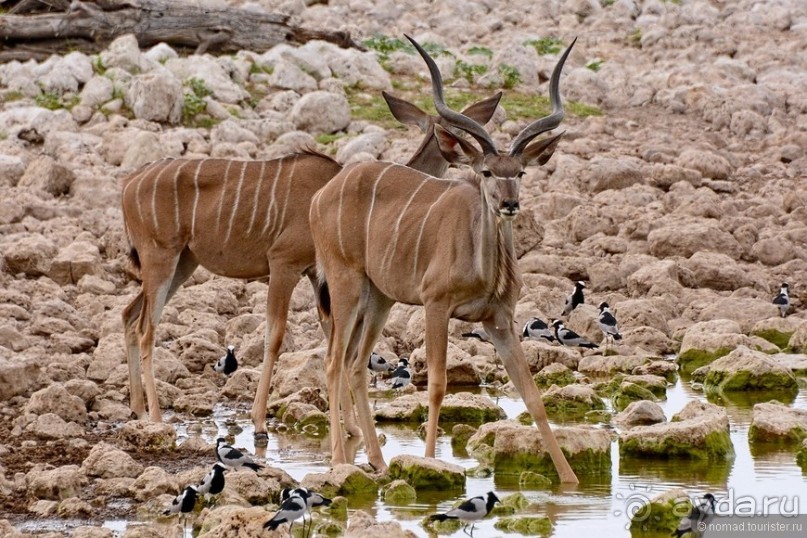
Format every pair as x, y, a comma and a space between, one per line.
595, 506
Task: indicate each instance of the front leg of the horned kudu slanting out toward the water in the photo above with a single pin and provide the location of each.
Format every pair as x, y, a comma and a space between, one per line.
509, 349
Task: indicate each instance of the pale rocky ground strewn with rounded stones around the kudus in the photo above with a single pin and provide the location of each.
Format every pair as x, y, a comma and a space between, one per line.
679, 195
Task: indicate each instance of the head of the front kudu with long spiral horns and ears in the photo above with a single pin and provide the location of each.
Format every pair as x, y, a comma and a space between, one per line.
498, 173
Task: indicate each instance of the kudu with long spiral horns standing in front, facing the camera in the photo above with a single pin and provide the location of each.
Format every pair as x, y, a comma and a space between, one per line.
385, 233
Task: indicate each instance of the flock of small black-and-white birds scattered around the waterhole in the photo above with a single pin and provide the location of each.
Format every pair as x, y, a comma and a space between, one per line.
296, 502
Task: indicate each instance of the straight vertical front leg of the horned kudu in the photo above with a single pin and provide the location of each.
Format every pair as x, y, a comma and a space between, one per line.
436, 347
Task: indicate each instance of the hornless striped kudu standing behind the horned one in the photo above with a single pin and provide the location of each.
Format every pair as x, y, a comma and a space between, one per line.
242, 219
